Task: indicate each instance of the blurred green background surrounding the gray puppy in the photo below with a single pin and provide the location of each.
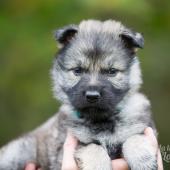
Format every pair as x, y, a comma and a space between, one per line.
27, 48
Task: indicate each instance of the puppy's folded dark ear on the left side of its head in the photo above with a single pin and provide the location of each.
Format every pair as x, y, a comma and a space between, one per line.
65, 34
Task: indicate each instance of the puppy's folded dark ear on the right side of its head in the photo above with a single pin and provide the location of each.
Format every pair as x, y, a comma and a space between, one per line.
132, 40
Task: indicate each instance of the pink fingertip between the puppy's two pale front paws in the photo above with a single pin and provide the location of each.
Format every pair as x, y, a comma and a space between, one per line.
119, 164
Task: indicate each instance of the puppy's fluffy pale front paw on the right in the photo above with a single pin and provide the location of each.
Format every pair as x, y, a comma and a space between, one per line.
140, 153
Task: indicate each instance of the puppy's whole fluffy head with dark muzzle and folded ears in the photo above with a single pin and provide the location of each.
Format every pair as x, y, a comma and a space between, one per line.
96, 66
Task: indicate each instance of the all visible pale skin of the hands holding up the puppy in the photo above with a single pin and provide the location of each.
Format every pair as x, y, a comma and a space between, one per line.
117, 164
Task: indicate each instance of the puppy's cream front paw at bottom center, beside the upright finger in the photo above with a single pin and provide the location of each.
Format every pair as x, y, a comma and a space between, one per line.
93, 157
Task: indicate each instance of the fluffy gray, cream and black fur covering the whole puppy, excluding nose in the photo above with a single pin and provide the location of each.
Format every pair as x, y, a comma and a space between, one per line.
94, 56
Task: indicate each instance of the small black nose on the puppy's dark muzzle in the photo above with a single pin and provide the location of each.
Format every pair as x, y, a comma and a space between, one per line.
92, 96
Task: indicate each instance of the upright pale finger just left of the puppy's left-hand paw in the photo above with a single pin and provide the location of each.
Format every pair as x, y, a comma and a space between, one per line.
68, 154
